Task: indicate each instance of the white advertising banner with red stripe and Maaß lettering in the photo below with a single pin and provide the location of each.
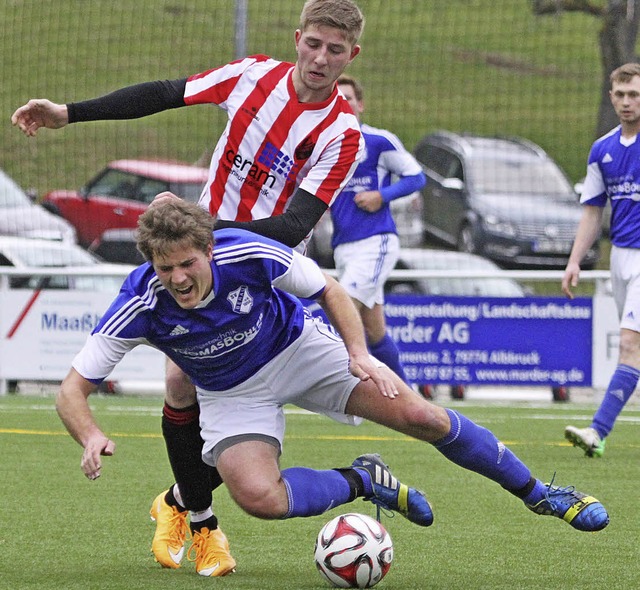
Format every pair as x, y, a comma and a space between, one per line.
41, 332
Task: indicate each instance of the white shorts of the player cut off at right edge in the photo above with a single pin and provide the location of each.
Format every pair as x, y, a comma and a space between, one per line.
625, 283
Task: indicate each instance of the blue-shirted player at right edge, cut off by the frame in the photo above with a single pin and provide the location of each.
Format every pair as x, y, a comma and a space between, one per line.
613, 173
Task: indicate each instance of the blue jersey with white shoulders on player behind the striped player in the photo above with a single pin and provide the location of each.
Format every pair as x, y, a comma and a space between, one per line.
384, 159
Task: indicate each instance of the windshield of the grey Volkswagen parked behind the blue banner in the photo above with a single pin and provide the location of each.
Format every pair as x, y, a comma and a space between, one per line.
519, 176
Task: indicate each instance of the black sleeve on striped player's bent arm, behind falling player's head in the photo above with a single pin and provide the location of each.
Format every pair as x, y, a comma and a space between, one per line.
292, 226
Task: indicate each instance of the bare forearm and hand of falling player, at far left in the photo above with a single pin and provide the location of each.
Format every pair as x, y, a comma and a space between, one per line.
74, 411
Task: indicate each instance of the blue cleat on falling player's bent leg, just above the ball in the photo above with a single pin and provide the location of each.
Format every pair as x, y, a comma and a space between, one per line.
390, 494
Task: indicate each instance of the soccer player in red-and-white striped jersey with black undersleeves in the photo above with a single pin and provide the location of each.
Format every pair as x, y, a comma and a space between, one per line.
290, 145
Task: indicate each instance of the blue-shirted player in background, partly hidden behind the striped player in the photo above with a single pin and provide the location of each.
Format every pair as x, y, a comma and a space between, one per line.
365, 241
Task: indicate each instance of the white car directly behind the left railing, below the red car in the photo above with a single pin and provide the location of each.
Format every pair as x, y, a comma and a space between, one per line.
27, 253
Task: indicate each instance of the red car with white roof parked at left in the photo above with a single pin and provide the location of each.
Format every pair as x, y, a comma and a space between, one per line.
117, 196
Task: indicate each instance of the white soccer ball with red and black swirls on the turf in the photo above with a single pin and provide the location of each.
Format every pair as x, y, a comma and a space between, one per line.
353, 551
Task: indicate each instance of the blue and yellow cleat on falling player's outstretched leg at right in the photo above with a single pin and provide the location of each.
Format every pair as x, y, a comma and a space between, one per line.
582, 512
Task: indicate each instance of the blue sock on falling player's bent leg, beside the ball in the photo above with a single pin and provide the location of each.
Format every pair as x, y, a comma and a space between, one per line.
312, 492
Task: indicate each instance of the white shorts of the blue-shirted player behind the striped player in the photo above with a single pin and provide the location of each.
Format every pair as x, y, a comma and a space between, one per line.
365, 265
